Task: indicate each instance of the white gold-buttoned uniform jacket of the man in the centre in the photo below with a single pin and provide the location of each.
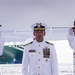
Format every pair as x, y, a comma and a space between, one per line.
35, 63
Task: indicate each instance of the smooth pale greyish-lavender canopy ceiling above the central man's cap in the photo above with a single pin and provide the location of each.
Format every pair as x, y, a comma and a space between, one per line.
21, 14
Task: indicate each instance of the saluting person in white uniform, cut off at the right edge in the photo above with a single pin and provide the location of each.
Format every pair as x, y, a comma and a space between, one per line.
71, 40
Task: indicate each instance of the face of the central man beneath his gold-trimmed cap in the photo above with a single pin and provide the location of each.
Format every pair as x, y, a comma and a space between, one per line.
39, 35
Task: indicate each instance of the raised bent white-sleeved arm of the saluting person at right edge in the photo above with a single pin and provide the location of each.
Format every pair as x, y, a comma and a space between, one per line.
71, 39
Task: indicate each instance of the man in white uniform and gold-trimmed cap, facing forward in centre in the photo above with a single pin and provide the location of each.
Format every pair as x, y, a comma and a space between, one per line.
39, 57
